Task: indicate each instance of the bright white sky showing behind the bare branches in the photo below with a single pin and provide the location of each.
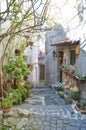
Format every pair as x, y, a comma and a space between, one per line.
58, 12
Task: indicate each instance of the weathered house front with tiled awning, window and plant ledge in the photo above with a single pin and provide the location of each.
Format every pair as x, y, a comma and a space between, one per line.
70, 54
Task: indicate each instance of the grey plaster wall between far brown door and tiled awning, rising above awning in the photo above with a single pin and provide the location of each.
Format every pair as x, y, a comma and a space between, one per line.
51, 62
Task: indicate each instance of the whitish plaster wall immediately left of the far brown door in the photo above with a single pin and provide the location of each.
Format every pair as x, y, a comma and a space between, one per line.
32, 55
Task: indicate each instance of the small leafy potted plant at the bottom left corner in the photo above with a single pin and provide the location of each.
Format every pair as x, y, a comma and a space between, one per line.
6, 104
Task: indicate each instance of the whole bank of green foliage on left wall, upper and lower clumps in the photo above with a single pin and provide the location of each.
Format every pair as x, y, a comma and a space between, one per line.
16, 70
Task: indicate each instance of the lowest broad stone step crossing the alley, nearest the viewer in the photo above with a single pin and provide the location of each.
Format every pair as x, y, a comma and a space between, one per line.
59, 111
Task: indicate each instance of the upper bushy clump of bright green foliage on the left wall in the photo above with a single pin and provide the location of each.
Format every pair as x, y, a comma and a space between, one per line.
16, 69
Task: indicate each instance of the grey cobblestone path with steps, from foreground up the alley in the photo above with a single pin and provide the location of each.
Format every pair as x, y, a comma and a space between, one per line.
49, 111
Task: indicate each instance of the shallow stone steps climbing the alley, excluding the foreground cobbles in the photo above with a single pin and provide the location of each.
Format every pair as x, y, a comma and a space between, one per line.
44, 101
